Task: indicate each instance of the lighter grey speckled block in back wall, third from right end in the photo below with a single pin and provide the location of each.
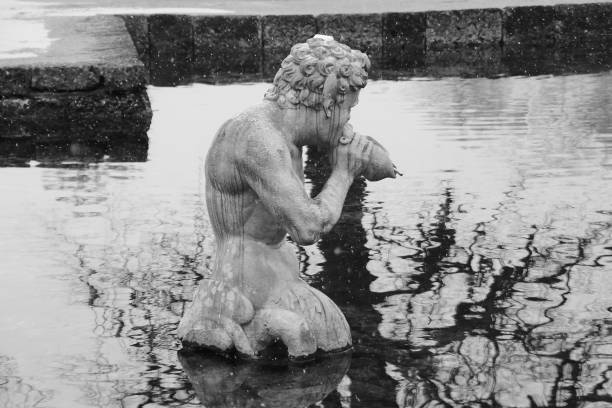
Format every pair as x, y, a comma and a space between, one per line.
462, 28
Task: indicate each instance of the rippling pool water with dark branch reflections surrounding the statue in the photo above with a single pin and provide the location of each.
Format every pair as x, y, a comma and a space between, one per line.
480, 278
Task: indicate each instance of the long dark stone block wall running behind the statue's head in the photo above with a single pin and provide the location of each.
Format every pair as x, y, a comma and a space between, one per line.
478, 42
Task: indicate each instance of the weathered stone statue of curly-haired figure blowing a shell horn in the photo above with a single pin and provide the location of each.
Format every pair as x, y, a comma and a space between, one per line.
255, 194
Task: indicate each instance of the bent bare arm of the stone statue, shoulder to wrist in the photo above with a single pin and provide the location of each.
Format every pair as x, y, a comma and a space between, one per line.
268, 169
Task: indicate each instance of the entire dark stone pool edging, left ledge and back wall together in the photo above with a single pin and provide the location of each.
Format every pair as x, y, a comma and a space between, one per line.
106, 98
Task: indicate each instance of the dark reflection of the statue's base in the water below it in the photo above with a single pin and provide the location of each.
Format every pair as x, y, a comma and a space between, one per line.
221, 383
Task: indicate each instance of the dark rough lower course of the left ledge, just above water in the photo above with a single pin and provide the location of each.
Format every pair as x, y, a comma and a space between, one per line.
69, 116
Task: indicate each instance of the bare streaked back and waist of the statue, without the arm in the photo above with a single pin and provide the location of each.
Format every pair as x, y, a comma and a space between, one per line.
252, 251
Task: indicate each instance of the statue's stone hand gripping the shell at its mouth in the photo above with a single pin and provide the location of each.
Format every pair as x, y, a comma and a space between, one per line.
352, 154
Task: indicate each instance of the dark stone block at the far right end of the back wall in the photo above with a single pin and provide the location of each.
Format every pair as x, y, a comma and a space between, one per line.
584, 24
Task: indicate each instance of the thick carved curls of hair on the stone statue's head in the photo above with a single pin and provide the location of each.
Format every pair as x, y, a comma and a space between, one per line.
318, 73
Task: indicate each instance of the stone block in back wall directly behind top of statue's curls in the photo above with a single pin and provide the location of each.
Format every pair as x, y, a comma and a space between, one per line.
359, 31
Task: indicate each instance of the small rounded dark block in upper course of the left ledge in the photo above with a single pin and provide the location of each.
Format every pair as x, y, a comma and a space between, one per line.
65, 78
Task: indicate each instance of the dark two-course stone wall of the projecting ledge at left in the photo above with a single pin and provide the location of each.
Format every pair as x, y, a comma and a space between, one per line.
59, 103
